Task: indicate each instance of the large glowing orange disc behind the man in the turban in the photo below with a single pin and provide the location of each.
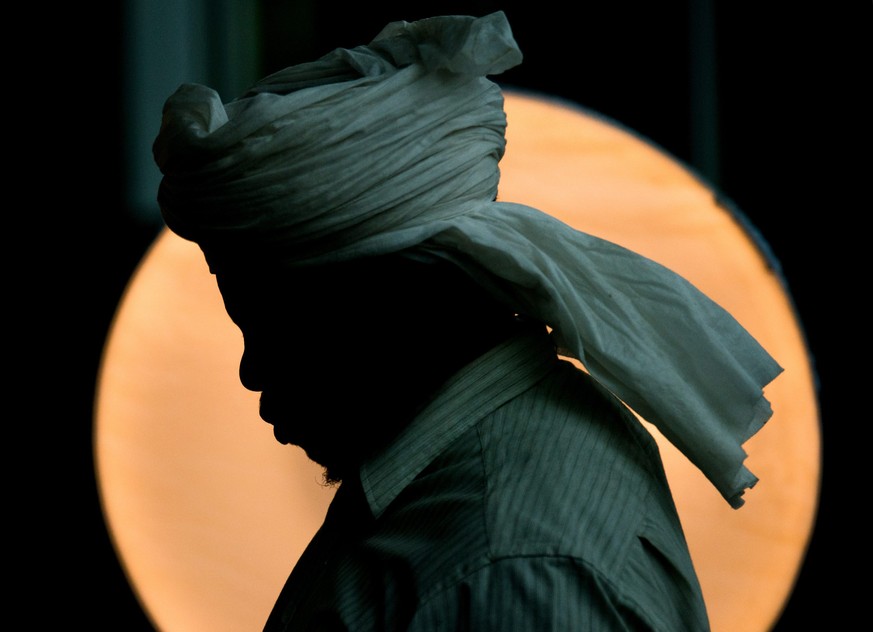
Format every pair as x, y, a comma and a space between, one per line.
208, 513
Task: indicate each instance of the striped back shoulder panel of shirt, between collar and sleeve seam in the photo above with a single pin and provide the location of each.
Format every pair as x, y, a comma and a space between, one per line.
568, 468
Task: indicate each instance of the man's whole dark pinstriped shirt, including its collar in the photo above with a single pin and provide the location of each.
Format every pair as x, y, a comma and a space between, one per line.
523, 497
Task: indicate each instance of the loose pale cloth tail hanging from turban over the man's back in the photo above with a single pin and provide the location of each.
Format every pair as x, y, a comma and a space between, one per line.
659, 344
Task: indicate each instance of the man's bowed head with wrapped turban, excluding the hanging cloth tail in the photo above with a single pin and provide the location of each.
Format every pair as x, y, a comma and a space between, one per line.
355, 157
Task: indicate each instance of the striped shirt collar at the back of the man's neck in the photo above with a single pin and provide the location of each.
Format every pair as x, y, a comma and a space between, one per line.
475, 391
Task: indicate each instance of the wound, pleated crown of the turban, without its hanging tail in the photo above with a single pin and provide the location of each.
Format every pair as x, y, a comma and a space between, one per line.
319, 156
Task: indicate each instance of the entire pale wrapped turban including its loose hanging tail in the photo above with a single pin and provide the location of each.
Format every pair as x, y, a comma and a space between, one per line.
394, 146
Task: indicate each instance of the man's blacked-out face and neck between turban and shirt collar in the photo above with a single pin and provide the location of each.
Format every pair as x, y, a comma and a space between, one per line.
345, 355
